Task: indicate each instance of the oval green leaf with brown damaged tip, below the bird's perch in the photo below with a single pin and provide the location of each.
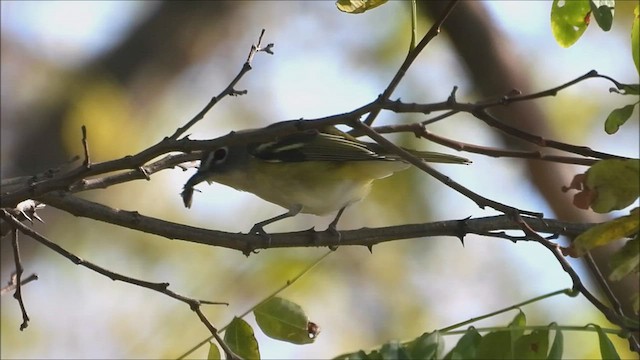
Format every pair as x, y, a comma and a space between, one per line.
283, 320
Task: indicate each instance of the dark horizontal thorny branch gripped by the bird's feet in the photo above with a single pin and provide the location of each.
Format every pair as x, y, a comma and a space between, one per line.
309, 238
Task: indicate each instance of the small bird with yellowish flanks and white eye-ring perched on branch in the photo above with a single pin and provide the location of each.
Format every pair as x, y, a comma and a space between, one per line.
313, 172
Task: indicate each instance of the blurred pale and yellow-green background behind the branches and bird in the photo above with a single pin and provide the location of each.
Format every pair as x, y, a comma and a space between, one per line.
132, 72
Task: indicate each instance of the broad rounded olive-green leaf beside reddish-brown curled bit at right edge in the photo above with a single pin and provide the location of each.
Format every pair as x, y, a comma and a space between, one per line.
616, 182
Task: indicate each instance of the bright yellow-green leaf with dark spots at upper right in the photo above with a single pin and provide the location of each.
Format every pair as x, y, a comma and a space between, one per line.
569, 20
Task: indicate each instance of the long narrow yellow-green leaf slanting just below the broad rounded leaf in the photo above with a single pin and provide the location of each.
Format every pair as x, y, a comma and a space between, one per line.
605, 233
